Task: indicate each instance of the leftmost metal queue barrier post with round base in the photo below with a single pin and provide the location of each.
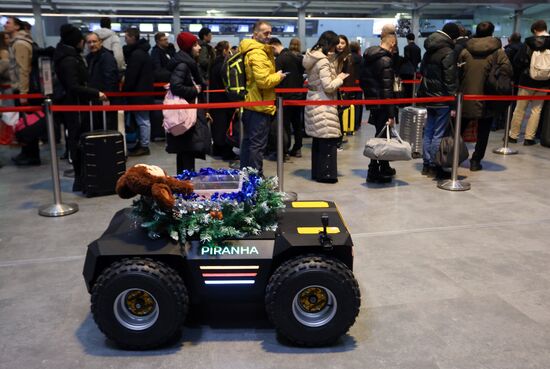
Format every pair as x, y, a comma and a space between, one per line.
57, 209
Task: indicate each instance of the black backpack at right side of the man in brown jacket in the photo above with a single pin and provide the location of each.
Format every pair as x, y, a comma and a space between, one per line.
498, 82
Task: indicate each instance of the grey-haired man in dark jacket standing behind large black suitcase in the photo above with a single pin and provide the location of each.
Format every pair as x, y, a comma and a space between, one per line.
103, 75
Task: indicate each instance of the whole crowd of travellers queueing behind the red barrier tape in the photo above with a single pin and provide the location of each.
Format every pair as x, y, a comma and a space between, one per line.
454, 60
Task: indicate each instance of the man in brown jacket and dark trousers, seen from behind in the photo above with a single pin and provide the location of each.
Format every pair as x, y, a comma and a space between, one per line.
482, 52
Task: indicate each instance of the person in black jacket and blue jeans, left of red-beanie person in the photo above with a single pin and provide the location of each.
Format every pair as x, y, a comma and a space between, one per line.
138, 78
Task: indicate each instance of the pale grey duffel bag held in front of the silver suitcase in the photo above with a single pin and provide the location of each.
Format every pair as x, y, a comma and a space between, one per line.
391, 149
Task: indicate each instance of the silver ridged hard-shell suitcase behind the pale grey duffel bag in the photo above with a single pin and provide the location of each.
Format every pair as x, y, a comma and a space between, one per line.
411, 127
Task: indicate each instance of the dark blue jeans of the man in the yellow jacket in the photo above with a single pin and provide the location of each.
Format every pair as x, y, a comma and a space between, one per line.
256, 133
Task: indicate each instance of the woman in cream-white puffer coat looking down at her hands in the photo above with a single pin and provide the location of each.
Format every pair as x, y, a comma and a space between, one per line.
321, 121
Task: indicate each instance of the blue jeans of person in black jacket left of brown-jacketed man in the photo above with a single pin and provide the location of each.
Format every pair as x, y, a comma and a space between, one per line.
434, 130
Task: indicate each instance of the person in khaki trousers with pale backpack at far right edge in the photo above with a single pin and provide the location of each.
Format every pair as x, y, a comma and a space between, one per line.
533, 62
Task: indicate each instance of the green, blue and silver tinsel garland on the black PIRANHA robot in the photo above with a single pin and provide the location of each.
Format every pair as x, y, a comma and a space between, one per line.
223, 216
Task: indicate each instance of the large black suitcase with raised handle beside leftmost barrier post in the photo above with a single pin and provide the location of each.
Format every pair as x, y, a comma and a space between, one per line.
103, 160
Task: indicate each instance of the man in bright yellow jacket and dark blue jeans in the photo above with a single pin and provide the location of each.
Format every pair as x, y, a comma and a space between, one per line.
261, 79
